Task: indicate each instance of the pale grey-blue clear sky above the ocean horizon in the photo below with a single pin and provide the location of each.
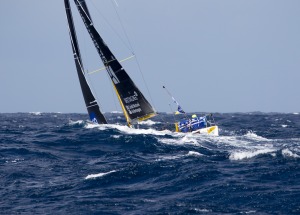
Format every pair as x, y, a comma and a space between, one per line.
212, 55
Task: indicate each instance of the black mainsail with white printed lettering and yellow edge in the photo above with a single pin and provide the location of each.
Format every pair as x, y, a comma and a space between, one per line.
134, 105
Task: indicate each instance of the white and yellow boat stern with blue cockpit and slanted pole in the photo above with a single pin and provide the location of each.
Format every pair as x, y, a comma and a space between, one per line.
196, 125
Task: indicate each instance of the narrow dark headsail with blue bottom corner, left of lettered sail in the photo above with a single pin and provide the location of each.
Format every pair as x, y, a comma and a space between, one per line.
90, 101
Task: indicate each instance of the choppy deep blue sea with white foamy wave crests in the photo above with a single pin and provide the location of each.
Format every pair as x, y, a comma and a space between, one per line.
53, 163
